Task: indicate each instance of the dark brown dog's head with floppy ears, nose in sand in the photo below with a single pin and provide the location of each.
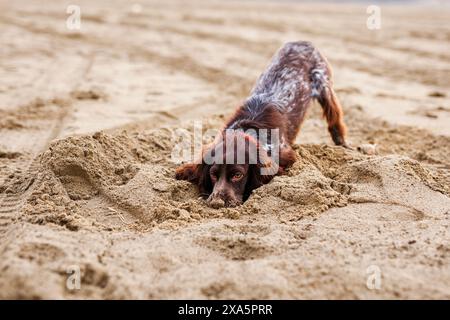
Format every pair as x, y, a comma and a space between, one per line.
232, 167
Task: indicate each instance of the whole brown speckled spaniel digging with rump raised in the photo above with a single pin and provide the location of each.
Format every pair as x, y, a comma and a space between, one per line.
255, 144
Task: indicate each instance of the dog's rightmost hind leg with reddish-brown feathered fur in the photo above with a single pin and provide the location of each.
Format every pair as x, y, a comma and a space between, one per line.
322, 90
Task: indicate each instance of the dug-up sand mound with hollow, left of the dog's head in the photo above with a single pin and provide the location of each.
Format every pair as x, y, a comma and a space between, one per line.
109, 181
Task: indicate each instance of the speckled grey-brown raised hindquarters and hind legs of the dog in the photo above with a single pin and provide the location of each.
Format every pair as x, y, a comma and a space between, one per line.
297, 74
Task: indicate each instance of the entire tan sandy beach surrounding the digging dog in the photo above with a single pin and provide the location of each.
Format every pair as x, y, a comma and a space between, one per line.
86, 132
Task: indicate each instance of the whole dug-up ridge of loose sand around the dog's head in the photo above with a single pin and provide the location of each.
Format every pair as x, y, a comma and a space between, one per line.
122, 181
